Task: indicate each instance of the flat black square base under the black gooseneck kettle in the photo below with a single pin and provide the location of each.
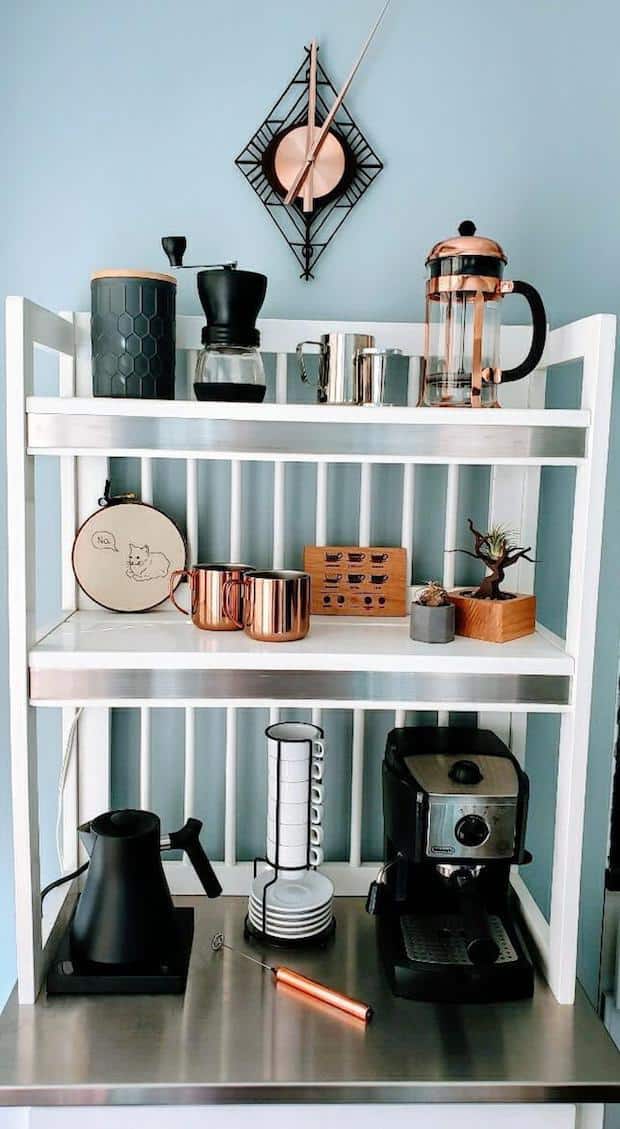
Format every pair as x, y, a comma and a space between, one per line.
65, 978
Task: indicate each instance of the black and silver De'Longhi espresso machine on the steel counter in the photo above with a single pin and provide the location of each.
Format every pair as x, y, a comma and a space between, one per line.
456, 808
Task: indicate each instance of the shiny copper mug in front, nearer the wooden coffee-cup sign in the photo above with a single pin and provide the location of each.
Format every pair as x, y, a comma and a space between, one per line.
276, 605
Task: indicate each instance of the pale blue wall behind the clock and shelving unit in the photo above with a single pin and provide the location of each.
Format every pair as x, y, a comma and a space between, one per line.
120, 122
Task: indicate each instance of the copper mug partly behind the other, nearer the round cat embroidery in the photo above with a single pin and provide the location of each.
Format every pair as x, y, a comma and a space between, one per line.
207, 596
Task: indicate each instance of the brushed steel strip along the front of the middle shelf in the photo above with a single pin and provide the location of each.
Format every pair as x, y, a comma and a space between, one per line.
90, 686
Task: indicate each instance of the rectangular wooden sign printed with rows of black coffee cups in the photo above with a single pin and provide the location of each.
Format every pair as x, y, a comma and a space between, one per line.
357, 580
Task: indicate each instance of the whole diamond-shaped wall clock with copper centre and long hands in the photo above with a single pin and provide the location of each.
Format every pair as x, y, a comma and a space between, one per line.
310, 163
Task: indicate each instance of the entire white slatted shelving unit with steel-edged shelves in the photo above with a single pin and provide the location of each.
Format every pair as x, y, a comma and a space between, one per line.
97, 661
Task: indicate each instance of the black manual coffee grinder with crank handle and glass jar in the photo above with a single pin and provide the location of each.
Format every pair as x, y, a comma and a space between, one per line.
230, 366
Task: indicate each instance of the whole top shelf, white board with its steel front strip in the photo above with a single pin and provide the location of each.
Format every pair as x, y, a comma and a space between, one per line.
305, 433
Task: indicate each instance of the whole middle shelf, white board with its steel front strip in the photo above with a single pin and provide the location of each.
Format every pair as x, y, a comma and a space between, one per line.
95, 655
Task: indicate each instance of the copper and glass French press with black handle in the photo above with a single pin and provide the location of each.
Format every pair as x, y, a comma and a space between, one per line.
464, 314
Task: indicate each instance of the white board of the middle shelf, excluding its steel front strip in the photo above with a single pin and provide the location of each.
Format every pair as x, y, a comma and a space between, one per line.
155, 641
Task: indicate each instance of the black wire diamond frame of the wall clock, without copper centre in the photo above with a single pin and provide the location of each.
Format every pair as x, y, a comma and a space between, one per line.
309, 234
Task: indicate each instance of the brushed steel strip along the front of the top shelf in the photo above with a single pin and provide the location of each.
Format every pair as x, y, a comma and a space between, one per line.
275, 439
